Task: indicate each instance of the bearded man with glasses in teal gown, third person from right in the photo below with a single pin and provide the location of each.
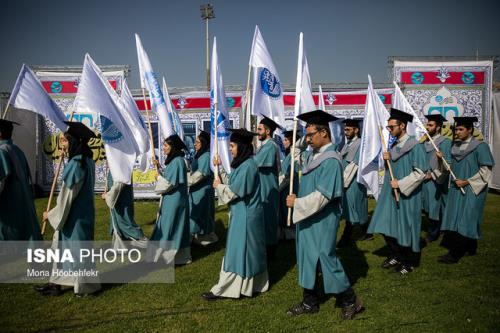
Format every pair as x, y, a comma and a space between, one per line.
400, 223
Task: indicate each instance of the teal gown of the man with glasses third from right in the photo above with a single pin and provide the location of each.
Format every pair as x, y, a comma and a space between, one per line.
401, 221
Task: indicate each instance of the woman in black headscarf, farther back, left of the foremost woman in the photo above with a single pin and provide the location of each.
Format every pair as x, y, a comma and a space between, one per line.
201, 194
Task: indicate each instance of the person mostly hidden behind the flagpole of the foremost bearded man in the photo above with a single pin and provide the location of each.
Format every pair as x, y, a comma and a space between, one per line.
288, 232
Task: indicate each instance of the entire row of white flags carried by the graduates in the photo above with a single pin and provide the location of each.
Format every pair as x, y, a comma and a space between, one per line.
126, 136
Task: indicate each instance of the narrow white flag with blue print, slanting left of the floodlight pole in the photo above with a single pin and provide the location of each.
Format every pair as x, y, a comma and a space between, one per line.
149, 82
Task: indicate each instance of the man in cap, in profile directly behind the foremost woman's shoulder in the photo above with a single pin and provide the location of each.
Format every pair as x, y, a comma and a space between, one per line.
267, 159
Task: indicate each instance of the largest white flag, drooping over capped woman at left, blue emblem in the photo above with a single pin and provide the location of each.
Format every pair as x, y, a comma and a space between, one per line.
95, 94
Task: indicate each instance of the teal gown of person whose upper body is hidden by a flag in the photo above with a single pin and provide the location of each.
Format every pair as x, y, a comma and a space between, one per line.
122, 214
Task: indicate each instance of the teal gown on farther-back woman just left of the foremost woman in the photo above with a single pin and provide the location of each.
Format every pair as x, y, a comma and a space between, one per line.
202, 198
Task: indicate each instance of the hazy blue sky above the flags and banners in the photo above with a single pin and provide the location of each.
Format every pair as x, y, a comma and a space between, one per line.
344, 40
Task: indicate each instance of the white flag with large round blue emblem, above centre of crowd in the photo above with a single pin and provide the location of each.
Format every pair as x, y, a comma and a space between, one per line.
267, 98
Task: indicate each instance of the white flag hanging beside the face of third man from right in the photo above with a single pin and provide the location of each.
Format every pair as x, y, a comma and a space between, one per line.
370, 154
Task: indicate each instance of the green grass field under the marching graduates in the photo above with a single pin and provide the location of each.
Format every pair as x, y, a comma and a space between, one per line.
434, 298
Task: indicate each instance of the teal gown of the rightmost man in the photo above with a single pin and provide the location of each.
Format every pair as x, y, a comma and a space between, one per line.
464, 213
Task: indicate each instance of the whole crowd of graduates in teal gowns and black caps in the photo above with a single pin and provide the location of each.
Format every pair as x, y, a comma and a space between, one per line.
325, 191
